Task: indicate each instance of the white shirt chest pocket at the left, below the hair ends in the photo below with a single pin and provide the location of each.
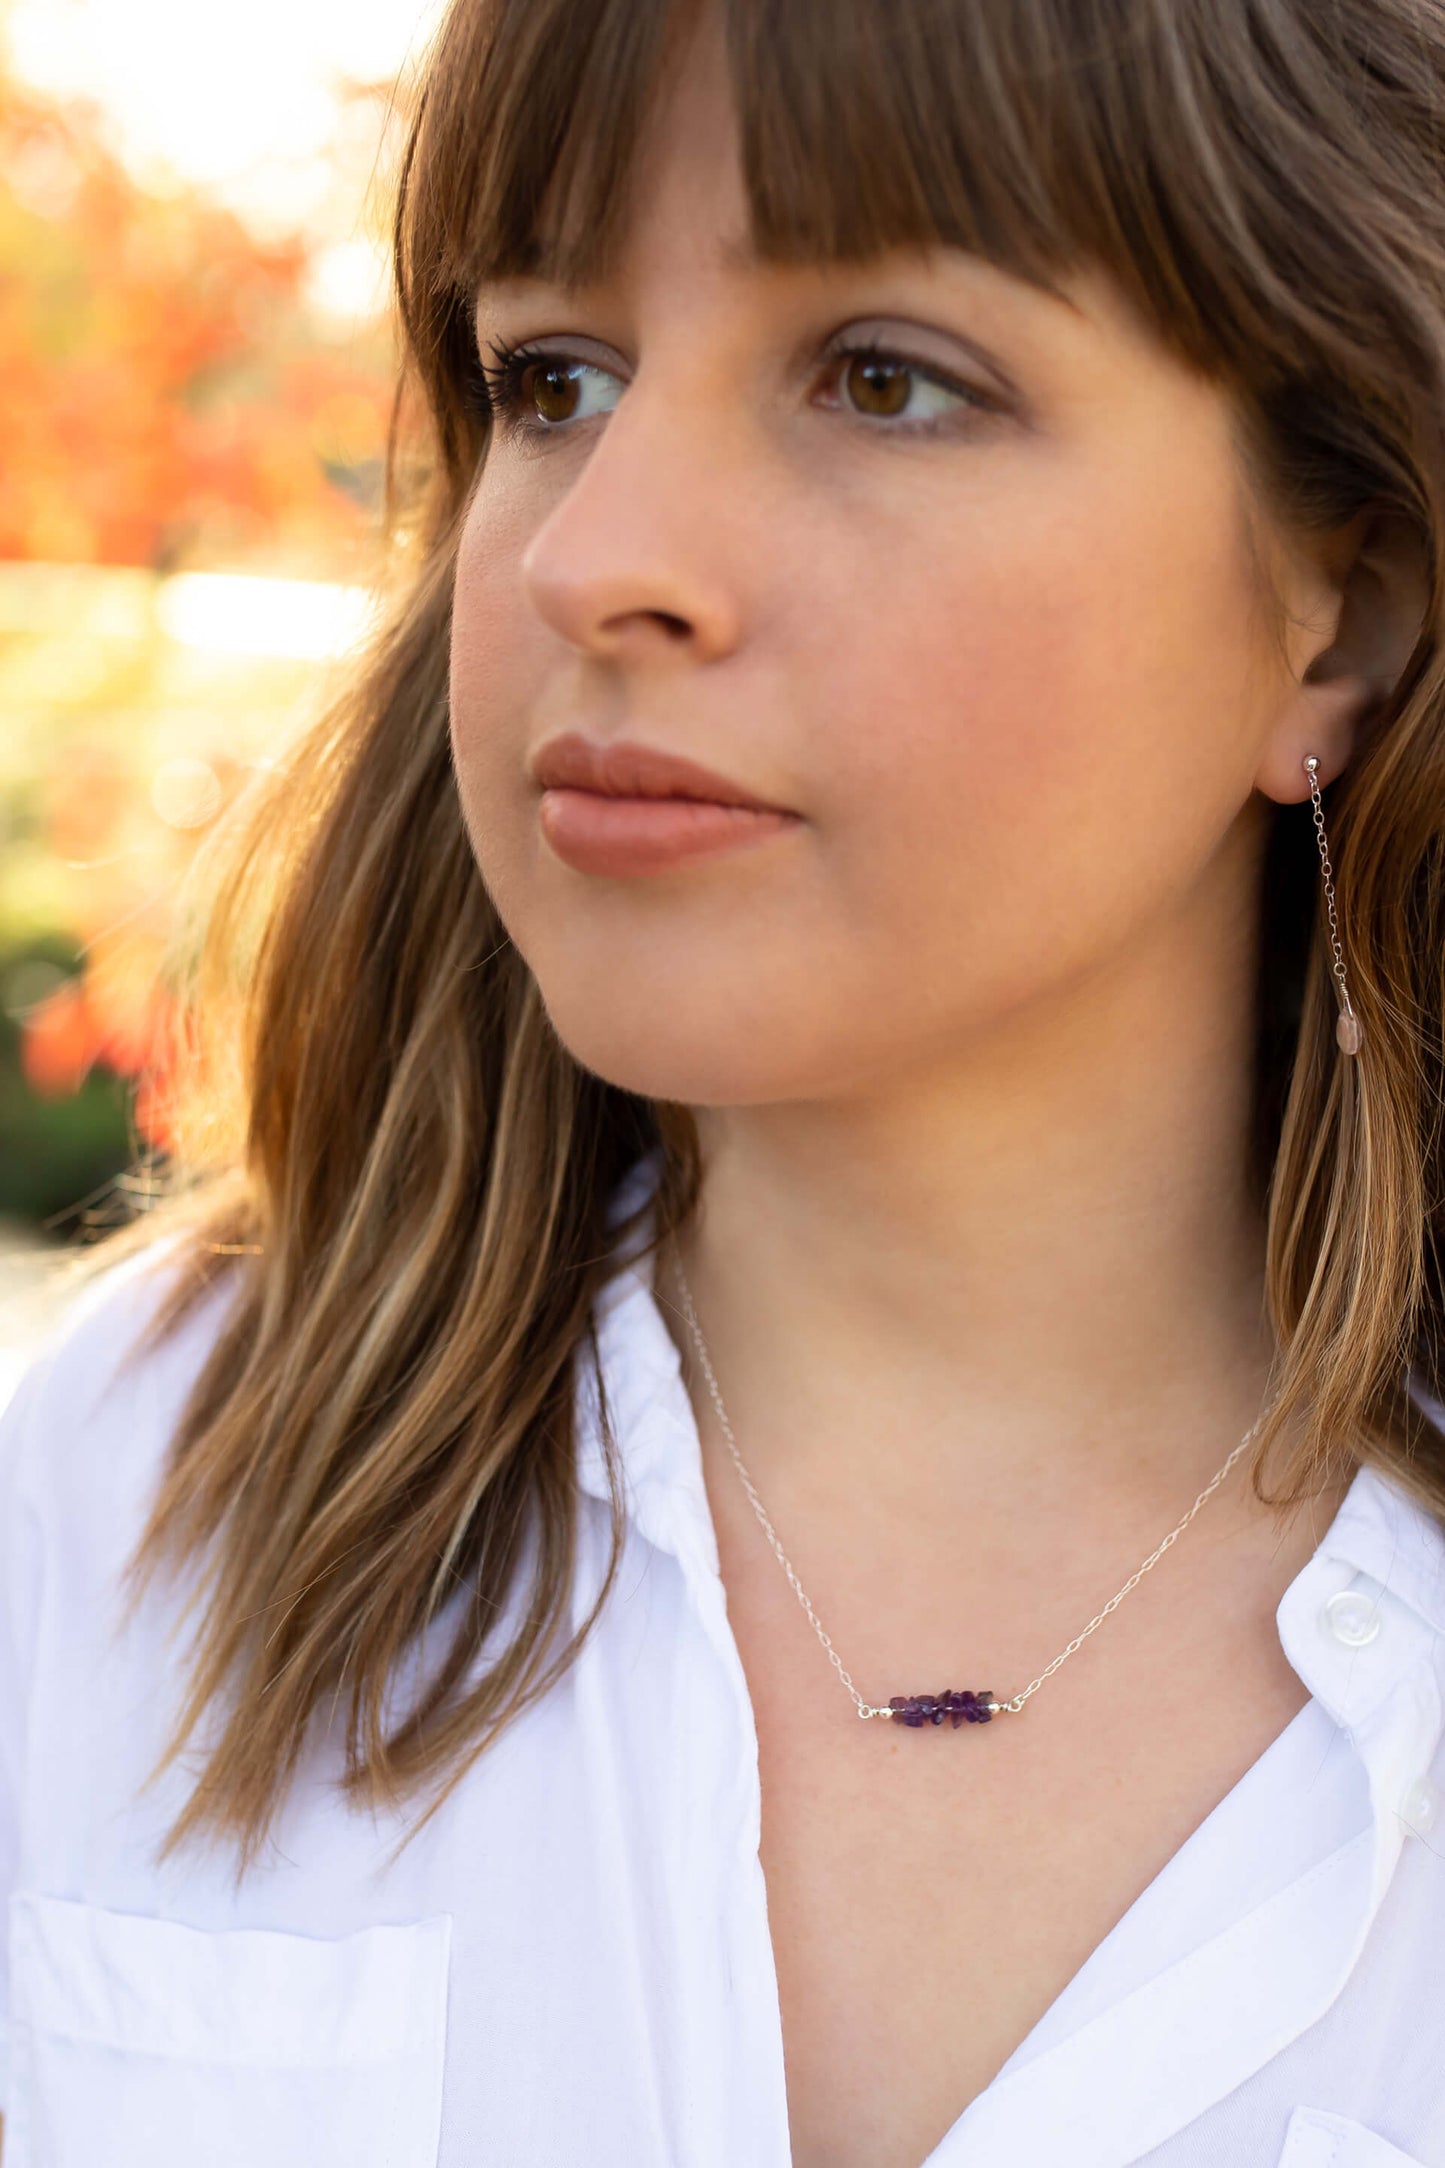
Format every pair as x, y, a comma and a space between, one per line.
142, 2043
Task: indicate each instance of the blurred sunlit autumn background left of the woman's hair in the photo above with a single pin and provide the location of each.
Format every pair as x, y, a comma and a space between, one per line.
196, 376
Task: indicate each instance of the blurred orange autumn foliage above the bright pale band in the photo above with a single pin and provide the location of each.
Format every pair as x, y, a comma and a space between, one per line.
166, 393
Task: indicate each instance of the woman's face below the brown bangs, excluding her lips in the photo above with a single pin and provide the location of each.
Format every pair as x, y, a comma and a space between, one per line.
980, 617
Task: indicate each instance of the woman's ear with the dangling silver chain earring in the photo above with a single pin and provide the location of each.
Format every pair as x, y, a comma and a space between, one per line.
1357, 615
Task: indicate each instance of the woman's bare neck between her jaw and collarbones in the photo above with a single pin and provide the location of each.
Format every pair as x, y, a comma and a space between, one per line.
1028, 1267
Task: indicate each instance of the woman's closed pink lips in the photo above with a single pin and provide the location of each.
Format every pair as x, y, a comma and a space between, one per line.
632, 810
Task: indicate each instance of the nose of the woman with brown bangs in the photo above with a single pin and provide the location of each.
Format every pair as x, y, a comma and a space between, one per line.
642, 554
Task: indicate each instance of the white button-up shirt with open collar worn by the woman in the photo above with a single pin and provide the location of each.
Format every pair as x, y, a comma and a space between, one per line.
571, 1963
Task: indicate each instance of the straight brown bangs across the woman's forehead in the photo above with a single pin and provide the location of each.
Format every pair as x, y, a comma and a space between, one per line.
1011, 129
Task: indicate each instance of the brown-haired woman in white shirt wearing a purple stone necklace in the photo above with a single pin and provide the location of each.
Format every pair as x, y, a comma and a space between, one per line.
666, 1282
